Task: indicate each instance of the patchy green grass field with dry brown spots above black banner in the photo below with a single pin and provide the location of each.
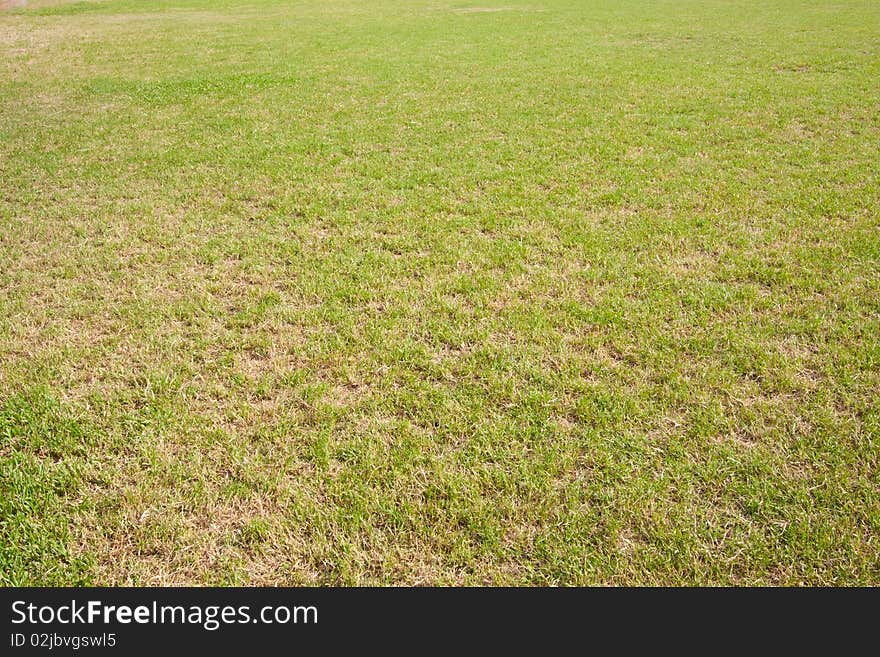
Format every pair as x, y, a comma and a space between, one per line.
440, 292
